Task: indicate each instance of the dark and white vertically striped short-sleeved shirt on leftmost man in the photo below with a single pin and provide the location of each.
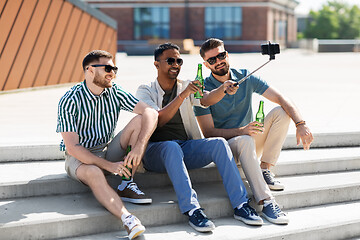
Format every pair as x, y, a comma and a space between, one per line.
92, 117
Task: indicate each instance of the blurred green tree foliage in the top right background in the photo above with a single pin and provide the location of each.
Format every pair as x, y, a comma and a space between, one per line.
335, 20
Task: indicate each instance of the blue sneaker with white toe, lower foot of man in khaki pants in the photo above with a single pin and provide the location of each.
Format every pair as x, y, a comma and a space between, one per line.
273, 213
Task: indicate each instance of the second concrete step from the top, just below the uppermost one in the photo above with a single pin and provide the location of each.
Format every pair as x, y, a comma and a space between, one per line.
39, 178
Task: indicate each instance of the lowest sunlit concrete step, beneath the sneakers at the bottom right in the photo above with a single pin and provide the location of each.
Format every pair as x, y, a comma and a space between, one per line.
333, 221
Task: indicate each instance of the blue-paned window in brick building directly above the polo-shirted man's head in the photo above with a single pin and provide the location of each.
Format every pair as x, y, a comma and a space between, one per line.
223, 22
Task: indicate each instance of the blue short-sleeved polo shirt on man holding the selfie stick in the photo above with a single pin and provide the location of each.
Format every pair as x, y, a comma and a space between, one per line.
233, 111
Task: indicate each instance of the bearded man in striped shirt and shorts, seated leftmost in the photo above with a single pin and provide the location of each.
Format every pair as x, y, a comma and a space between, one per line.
87, 117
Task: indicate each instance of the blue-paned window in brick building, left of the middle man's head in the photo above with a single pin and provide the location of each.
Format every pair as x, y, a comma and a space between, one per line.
151, 23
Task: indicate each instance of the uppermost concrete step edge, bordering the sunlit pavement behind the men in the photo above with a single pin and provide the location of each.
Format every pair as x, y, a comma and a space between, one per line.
18, 153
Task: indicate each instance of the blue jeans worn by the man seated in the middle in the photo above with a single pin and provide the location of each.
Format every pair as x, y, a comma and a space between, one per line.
175, 157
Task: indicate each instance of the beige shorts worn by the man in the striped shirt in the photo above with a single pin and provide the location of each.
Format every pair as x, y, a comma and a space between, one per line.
110, 151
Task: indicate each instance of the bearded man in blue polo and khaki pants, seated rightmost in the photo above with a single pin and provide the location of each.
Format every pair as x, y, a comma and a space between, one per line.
231, 118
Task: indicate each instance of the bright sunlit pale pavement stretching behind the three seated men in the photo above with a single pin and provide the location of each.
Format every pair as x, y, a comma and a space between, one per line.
324, 86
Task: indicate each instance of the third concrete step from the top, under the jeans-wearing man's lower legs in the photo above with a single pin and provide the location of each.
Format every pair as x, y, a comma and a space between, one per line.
63, 216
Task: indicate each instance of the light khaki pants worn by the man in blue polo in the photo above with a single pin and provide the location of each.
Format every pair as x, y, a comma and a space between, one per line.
247, 149
